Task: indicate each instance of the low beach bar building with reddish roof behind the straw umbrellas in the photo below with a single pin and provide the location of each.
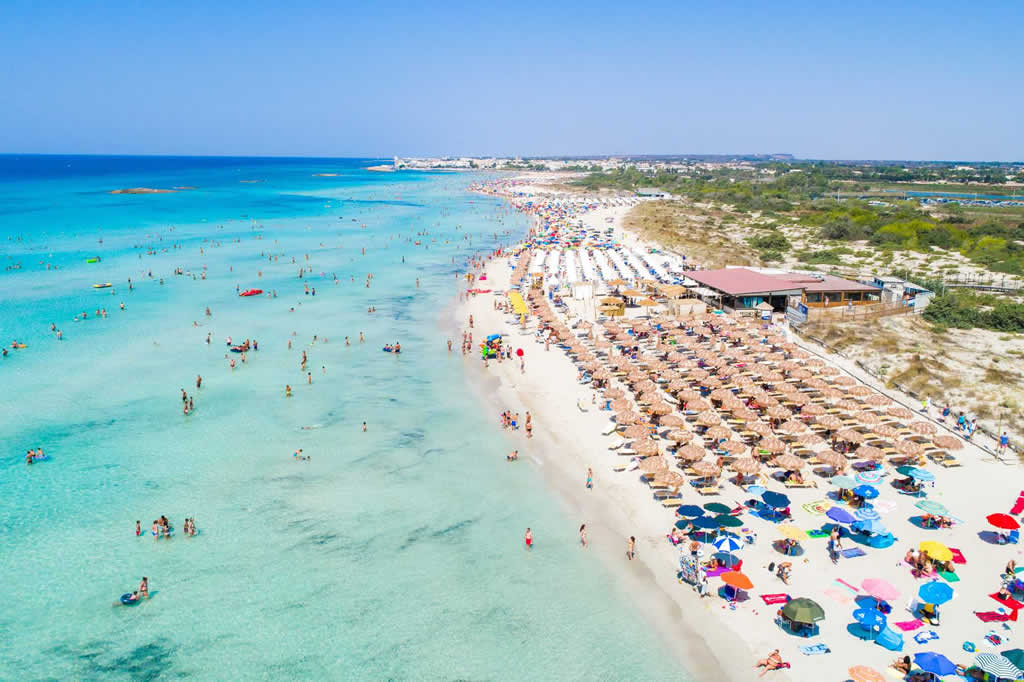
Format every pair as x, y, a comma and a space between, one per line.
746, 289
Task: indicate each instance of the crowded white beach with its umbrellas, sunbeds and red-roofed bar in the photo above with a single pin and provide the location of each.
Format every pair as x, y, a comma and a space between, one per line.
790, 501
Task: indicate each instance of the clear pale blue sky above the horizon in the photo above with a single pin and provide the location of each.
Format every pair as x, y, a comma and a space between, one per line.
845, 80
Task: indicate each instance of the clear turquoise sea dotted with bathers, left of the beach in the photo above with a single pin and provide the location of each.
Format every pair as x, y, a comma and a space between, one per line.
391, 555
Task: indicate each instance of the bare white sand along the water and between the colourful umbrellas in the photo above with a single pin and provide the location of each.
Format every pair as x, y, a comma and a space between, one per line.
719, 638
